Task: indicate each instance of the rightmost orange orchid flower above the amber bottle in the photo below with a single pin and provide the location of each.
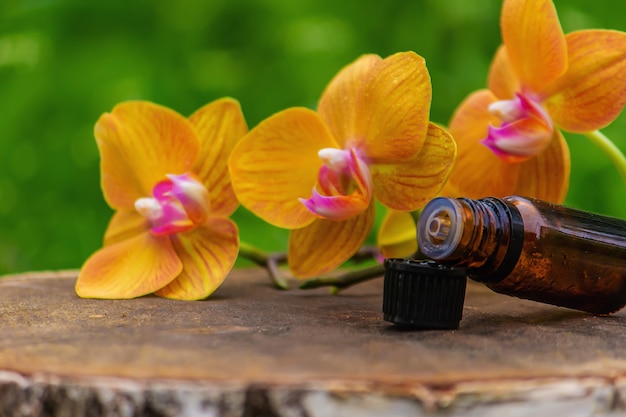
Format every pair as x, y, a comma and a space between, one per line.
540, 82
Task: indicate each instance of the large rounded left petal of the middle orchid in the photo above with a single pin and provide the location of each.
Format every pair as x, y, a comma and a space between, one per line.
277, 163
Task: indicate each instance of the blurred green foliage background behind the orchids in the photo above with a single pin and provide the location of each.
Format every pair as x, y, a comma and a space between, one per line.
64, 62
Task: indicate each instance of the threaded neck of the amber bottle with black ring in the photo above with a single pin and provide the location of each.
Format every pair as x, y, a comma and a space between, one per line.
484, 236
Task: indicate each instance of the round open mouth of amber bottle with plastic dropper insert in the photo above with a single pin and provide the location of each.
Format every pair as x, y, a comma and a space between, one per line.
440, 227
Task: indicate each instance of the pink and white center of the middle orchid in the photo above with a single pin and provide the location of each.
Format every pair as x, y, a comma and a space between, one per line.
344, 185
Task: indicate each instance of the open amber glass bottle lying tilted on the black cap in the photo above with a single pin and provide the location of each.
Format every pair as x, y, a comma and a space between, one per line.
531, 249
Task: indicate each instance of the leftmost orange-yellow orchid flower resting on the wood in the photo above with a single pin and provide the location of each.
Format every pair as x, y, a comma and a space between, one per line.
167, 180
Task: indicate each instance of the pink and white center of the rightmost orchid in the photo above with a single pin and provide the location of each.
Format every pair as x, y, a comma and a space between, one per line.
525, 131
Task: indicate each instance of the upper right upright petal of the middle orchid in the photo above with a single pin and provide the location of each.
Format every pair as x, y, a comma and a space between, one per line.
393, 115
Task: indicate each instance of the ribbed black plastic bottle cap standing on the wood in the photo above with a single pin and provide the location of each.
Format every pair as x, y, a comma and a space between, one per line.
423, 294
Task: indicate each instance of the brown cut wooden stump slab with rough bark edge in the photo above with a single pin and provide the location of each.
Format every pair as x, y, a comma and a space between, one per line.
252, 350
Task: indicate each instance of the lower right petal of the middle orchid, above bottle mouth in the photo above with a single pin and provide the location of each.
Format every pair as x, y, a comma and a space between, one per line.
409, 185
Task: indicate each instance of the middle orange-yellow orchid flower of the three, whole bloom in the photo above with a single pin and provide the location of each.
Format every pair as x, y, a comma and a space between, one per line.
317, 173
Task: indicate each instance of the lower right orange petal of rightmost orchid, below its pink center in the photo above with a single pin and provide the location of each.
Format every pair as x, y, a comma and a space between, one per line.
546, 176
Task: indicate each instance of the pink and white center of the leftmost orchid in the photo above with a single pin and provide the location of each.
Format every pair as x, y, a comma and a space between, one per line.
179, 203
